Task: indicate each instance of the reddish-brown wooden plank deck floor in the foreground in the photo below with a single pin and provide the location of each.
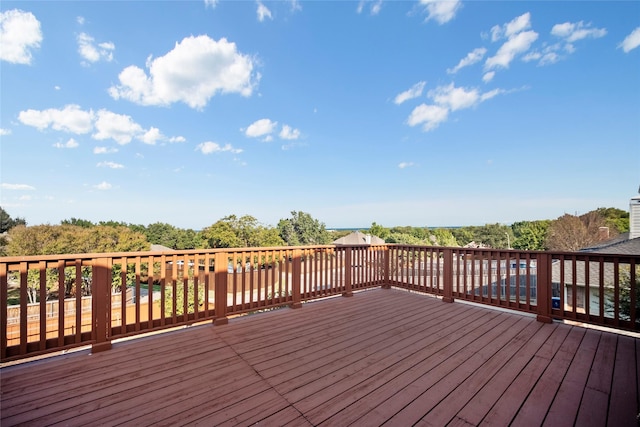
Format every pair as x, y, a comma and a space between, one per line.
380, 357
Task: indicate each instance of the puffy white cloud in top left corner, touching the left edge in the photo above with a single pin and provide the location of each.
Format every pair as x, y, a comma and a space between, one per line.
20, 34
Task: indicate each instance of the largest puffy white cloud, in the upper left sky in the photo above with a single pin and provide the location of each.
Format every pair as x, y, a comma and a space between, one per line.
194, 71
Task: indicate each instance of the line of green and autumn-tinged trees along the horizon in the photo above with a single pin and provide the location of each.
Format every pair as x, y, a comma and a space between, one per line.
566, 233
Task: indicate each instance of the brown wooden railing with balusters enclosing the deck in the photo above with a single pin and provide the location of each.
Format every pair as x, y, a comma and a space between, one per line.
66, 301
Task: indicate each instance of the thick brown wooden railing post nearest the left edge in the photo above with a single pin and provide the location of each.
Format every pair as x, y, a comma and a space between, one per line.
101, 301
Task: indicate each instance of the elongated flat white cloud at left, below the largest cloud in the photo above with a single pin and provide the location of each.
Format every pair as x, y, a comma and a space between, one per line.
70, 119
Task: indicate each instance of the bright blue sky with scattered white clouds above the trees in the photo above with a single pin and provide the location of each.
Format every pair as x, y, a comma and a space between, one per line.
403, 113
